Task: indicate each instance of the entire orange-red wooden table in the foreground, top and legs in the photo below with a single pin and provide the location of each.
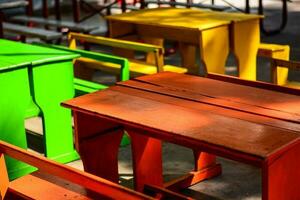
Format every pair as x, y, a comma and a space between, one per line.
250, 122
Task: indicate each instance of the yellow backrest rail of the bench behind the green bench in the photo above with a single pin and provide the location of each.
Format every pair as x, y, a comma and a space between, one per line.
158, 51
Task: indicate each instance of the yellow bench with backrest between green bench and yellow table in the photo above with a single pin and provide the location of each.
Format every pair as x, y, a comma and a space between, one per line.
137, 67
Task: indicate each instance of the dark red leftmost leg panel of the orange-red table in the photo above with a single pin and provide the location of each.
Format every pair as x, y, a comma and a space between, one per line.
97, 141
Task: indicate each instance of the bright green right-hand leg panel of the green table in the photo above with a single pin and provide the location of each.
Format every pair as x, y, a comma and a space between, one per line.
53, 84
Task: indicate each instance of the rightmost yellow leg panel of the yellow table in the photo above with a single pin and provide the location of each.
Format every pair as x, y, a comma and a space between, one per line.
246, 39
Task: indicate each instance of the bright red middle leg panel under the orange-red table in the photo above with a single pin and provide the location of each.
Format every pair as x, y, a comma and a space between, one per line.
147, 160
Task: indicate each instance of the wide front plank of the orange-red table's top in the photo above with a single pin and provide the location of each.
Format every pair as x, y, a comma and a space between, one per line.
181, 123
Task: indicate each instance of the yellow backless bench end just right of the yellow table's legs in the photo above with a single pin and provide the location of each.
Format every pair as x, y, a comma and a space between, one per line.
276, 51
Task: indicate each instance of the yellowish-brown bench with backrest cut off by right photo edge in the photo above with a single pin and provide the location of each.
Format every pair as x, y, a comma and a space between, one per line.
276, 63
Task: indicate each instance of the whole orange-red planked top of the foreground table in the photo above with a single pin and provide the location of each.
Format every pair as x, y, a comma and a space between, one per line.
205, 111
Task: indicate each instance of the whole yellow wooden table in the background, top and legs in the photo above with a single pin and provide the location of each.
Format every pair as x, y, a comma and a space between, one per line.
213, 32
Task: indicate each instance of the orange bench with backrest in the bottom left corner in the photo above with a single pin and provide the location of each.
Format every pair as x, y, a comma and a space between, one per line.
32, 187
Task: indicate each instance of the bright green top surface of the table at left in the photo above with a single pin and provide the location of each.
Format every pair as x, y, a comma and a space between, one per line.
16, 54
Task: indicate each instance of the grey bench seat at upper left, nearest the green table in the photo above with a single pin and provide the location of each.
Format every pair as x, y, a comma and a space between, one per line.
30, 31
